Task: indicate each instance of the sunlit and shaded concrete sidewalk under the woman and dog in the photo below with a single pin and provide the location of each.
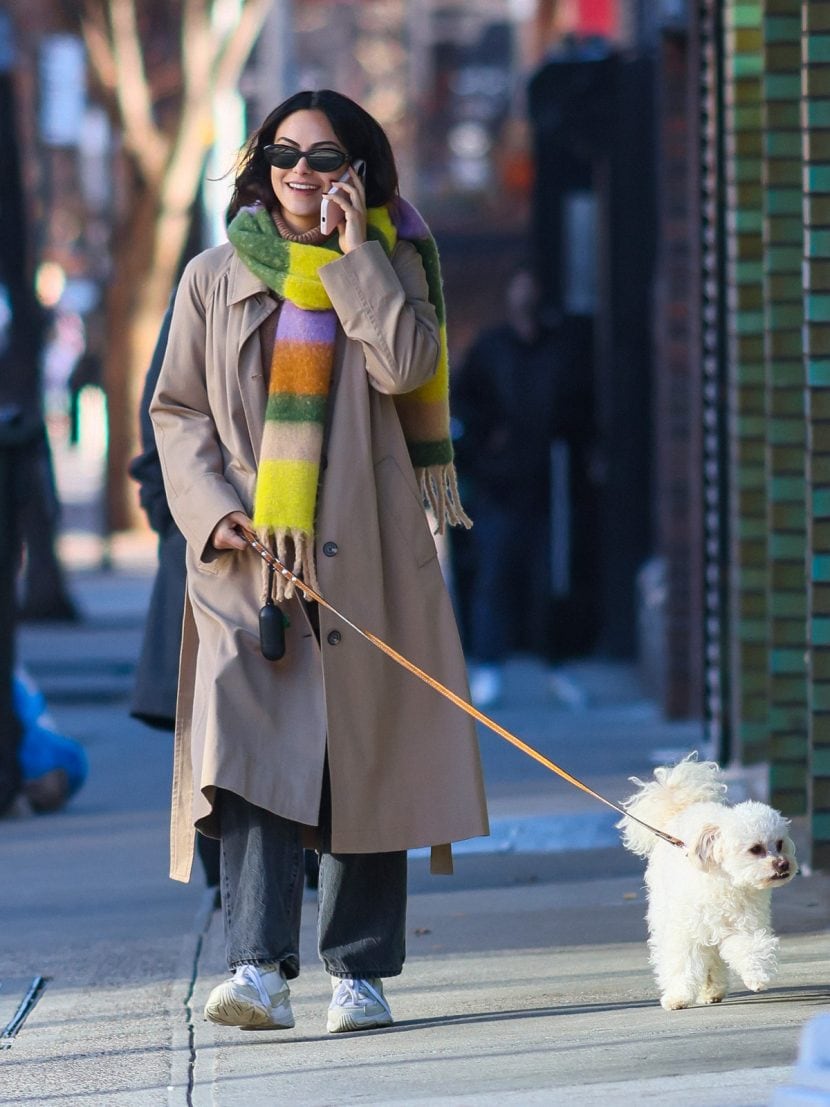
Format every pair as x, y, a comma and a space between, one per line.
527, 980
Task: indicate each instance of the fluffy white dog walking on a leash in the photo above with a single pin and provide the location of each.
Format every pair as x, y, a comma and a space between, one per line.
709, 906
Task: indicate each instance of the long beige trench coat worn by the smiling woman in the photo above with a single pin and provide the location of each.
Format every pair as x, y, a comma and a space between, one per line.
404, 762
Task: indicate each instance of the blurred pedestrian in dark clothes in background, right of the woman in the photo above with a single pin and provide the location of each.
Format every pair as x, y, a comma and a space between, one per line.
517, 395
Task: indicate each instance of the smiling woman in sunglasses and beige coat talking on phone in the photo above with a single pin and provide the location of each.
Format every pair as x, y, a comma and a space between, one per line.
302, 379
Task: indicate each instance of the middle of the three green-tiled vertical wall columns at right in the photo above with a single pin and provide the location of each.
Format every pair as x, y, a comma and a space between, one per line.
785, 405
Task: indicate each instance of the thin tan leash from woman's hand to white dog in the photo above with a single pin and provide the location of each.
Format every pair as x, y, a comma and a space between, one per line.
310, 594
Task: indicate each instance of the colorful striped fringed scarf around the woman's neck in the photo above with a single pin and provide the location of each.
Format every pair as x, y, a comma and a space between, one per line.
302, 367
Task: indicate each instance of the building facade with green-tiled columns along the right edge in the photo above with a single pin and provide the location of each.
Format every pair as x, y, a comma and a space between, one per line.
745, 119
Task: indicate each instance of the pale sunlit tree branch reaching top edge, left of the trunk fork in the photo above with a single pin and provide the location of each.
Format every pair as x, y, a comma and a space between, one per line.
142, 138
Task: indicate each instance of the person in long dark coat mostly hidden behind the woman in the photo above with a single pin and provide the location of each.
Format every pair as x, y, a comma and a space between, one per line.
157, 678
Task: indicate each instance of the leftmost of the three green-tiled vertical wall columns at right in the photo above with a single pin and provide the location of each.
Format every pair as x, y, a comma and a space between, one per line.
746, 369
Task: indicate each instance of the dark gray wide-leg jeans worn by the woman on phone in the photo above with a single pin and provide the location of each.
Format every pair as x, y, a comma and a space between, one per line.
361, 897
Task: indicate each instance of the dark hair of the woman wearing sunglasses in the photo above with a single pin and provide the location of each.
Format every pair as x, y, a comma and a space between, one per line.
359, 132
